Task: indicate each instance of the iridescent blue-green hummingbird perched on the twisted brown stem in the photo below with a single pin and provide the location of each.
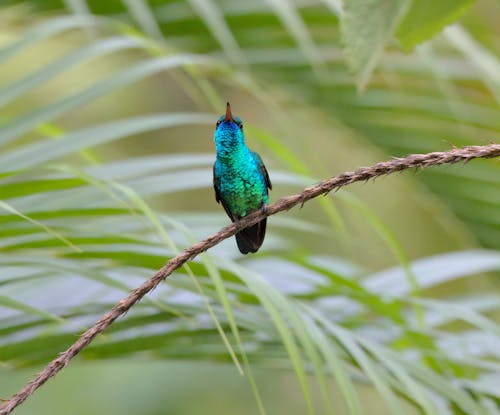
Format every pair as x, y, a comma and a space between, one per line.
241, 181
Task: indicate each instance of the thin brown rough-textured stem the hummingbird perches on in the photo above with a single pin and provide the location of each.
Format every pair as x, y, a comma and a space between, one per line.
364, 173
